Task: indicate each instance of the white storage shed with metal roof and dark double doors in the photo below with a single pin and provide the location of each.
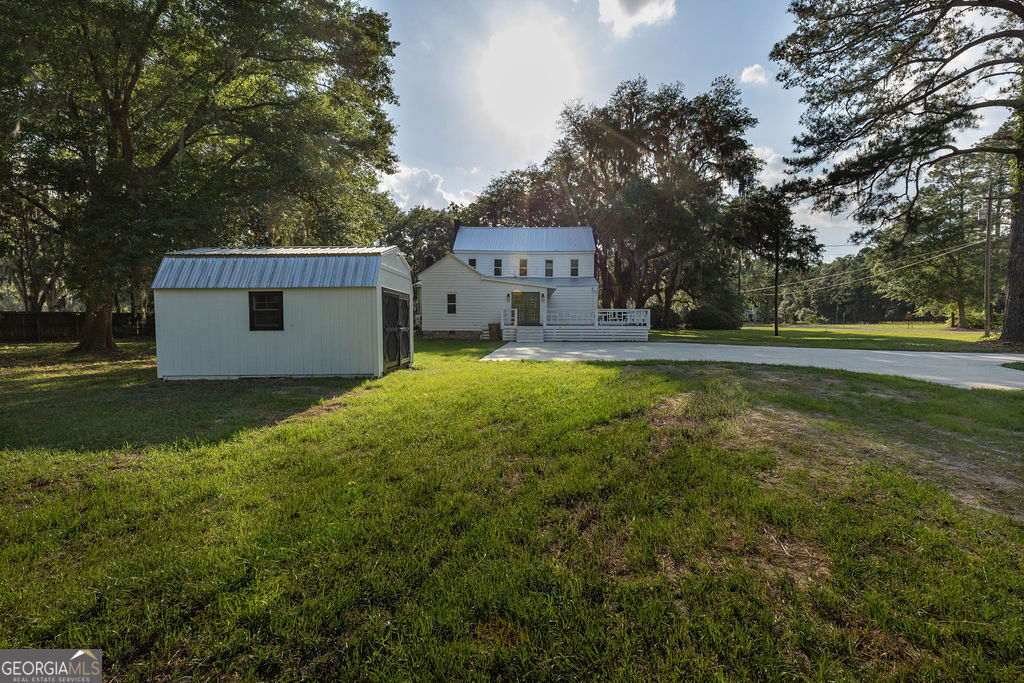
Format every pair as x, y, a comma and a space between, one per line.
277, 312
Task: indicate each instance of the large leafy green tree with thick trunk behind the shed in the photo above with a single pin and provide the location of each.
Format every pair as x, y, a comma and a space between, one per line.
137, 126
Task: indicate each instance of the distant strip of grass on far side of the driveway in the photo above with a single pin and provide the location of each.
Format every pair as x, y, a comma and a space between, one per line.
898, 338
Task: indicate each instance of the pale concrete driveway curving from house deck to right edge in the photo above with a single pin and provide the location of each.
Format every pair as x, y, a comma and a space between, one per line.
979, 371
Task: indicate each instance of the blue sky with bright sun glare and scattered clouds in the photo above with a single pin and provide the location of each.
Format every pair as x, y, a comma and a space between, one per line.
481, 84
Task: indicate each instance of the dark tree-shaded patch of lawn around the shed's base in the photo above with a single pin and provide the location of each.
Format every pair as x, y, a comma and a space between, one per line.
54, 401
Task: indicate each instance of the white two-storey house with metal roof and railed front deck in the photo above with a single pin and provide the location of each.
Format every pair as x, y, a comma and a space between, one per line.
538, 283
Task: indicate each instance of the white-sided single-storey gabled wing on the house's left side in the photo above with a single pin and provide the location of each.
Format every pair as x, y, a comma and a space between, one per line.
478, 302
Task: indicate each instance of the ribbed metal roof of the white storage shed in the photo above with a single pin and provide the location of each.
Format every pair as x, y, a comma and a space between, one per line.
277, 268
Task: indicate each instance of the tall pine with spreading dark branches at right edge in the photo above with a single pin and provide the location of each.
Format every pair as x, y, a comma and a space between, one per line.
891, 87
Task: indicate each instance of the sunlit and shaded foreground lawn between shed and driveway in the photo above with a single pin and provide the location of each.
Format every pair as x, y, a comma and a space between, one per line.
520, 520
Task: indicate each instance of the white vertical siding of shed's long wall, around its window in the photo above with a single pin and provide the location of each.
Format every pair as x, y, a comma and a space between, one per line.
205, 334
